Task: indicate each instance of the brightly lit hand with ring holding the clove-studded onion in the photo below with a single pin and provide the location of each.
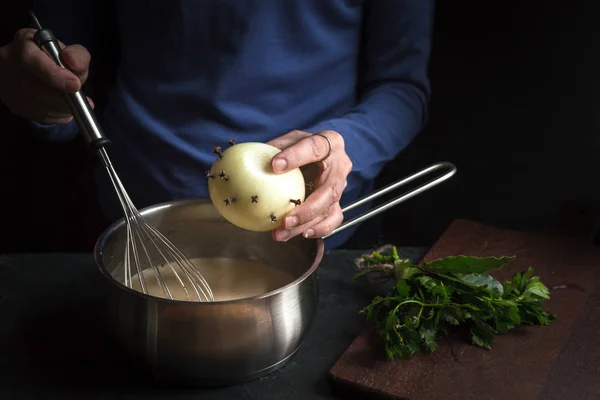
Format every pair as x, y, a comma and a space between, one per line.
321, 212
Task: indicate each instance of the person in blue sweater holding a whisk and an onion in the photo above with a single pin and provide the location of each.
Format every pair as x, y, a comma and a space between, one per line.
191, 75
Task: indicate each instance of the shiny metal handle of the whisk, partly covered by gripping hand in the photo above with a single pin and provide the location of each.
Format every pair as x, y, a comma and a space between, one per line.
78, 104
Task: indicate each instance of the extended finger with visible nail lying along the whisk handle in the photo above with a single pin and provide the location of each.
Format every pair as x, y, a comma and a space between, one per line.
38, 63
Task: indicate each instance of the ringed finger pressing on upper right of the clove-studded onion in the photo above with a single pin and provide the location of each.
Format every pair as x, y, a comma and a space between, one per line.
311, 149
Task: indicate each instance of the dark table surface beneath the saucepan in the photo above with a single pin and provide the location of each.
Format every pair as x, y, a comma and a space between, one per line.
53, 344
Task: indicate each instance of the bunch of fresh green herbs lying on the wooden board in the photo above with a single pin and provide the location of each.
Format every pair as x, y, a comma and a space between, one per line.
431, 299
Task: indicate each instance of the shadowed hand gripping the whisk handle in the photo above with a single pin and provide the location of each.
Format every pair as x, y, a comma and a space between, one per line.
33, 86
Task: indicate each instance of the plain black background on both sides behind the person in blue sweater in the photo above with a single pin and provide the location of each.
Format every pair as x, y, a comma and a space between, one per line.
515, 95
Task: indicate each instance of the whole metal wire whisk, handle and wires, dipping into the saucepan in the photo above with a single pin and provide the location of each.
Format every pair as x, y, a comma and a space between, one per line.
148, 253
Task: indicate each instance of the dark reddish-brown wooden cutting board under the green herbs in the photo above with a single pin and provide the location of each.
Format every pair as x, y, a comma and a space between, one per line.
560, 361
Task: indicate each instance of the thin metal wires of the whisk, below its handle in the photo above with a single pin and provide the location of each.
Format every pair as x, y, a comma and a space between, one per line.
145, 245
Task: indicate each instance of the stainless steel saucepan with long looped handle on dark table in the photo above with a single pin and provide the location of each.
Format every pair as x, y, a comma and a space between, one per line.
229, 342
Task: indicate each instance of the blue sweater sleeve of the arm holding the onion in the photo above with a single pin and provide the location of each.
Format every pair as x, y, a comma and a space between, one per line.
394, 86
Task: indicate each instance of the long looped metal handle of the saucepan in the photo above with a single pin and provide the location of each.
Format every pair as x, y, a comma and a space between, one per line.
451, 170
